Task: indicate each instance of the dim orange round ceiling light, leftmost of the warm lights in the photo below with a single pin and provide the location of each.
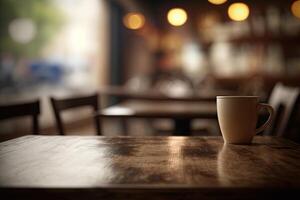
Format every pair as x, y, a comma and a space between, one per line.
134, 21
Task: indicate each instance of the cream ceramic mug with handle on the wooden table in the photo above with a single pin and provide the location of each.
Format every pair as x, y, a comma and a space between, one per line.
237, 116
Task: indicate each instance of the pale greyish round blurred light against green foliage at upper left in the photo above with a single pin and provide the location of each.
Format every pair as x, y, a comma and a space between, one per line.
22, 30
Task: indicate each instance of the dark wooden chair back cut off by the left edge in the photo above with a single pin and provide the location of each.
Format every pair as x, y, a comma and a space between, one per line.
21, 110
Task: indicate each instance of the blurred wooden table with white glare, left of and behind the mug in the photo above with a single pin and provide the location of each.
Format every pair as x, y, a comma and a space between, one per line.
182, 113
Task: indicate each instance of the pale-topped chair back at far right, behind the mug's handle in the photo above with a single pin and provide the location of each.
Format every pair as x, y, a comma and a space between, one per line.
285, 101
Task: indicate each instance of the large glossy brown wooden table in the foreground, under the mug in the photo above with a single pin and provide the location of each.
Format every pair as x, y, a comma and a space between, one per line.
95, 167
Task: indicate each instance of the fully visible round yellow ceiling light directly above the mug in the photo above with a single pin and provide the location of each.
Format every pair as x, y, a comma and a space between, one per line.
238, 11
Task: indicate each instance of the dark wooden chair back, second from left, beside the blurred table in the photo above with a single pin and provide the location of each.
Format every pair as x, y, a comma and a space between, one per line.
59, 105
